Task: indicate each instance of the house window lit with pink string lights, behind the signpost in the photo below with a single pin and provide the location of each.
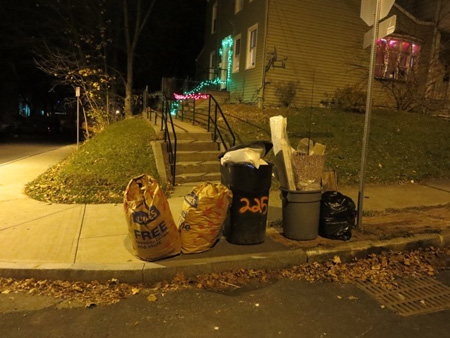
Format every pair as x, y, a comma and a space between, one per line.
396, 58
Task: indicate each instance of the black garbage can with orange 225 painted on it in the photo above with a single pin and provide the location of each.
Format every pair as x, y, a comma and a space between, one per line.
247, 218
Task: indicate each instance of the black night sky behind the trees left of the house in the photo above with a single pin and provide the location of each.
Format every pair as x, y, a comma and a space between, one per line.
168, 46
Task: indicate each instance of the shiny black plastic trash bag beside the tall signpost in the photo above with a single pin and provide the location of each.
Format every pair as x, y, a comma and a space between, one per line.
337, 216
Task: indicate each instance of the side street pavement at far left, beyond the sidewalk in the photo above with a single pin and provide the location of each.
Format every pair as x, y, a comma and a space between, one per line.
11, 151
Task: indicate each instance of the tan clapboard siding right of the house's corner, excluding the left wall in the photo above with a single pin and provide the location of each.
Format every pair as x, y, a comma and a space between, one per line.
322, 40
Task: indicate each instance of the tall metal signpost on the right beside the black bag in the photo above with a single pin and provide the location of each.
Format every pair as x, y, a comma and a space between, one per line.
368, 114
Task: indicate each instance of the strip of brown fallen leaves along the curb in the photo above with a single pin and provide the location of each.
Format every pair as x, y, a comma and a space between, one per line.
382, 269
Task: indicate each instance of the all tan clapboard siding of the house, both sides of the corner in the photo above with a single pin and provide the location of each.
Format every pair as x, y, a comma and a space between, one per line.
321, 39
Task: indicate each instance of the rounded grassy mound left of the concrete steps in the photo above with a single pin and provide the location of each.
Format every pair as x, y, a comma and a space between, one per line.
101, 169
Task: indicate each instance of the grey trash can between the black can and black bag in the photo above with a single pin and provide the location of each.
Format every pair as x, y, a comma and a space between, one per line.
301, 213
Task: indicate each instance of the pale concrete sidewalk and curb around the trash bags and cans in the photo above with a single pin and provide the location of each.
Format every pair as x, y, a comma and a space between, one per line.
88, 242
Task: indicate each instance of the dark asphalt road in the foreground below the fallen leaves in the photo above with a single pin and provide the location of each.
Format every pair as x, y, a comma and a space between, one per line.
280, 309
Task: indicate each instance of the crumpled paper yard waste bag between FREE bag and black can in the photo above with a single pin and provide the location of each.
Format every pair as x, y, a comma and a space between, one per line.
204, 212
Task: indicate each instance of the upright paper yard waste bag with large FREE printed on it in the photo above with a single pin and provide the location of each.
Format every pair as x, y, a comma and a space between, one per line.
151, 227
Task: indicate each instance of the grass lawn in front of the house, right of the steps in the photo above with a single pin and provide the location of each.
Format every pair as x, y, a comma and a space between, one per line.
402, 146
